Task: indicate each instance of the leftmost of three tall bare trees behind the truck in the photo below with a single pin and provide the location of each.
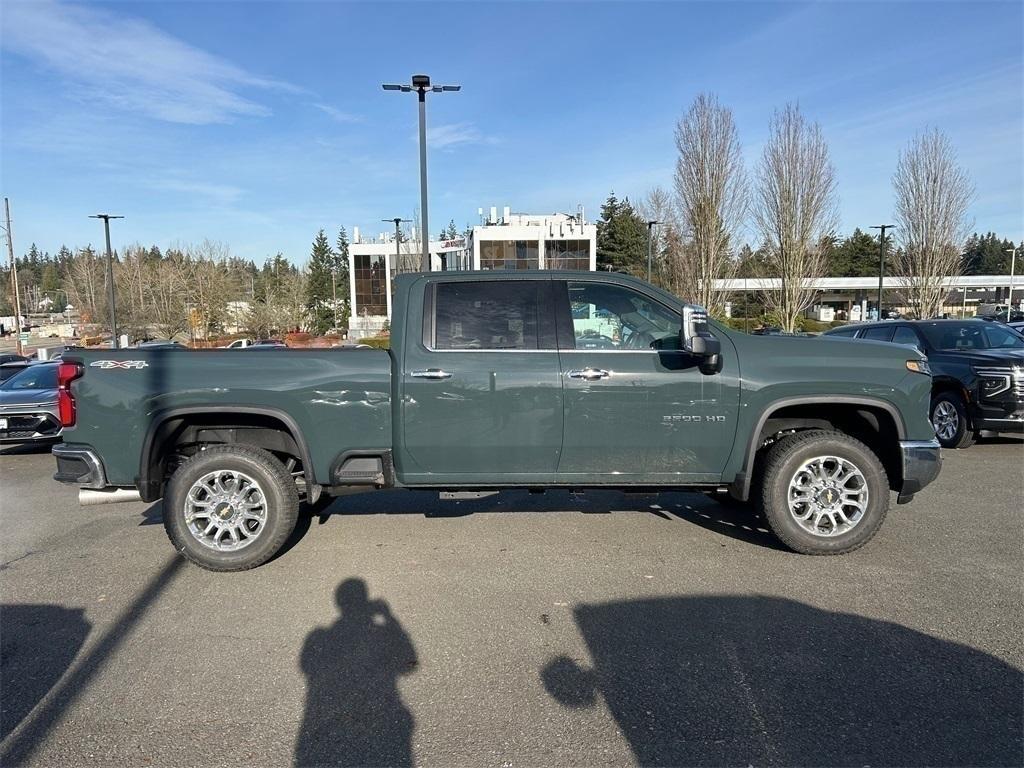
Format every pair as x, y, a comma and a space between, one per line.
711, 187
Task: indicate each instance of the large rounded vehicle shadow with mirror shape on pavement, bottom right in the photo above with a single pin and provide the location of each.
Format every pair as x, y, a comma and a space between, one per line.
769, 681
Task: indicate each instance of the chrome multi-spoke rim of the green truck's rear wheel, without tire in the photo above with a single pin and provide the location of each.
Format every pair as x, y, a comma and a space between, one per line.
226, 510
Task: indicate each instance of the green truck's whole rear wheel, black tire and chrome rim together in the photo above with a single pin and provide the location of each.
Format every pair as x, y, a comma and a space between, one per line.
231, 507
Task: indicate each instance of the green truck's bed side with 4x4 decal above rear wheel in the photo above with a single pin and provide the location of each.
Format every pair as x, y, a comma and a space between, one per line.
332, 398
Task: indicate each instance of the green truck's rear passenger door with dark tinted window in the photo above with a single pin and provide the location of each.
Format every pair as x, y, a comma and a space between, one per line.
482, 391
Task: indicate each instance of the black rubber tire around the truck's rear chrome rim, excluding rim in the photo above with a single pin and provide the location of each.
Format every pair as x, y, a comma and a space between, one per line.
281, 505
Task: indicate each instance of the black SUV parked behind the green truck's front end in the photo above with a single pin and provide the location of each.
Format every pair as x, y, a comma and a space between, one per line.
977, 369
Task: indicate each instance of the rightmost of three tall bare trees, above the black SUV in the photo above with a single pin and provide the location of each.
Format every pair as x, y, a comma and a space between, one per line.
933, 194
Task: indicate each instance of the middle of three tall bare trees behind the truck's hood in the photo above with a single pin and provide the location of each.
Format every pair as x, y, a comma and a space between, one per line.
796, 210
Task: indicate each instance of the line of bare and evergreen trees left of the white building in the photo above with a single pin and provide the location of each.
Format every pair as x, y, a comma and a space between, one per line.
190, 290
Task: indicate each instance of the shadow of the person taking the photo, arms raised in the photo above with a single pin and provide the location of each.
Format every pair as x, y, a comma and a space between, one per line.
355, 715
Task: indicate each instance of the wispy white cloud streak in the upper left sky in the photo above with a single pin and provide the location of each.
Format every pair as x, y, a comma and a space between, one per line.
131, 64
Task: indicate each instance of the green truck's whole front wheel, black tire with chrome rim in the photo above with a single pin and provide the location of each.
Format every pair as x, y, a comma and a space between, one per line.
824, 493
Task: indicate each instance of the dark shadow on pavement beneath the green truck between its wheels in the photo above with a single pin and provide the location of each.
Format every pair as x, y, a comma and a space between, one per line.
740, 524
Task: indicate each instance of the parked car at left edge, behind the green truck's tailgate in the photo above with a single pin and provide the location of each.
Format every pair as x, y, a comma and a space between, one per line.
29, 409
